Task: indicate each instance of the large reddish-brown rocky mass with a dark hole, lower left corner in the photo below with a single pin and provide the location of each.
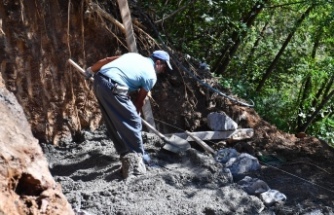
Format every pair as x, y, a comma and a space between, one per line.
27, 186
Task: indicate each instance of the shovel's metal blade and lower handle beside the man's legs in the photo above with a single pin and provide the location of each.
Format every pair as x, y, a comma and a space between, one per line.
174, 143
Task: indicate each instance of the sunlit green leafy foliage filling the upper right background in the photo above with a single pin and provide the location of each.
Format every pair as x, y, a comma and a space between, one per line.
203, 29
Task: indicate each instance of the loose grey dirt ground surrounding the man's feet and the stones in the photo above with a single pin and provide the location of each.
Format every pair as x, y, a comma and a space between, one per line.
187, 183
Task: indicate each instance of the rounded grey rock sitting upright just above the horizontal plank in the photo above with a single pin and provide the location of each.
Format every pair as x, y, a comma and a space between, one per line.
219, 121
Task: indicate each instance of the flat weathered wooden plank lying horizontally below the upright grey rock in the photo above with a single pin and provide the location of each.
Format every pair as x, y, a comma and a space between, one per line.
239, 134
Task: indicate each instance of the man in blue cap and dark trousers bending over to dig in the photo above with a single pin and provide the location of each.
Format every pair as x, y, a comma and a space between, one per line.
114, 78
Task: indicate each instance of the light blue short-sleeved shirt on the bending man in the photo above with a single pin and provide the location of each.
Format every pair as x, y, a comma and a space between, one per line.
132, 70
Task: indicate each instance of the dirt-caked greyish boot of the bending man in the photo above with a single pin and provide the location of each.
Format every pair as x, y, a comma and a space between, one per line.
132, 165
